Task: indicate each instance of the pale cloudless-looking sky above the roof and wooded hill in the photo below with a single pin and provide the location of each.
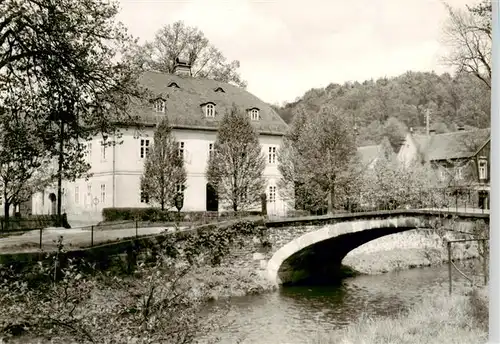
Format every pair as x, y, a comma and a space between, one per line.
286, 48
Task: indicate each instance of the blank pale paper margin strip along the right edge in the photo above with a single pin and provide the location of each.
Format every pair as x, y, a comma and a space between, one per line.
494, 285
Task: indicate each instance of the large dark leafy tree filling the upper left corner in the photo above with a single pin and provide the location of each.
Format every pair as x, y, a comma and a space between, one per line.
58, 59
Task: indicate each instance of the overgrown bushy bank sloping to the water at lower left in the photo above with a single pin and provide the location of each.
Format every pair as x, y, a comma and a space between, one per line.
64, 300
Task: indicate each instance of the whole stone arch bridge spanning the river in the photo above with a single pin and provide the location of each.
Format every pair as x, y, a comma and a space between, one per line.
319, 244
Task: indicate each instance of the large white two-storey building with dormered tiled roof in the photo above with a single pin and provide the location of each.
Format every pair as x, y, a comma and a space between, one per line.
194, 108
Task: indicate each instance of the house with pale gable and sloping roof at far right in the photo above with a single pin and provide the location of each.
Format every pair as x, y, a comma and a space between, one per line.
461, 158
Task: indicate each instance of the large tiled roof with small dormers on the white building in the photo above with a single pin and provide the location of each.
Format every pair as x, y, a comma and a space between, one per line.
184, 103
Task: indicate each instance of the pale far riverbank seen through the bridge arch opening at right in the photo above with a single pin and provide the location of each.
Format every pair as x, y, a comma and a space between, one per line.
406, 250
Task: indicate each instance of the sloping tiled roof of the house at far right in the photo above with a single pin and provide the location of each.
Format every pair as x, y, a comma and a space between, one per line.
455, 145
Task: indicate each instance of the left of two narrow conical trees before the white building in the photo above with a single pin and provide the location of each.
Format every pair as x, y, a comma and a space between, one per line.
164, 168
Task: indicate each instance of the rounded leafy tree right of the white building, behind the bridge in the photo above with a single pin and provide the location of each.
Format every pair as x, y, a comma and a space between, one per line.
324, 149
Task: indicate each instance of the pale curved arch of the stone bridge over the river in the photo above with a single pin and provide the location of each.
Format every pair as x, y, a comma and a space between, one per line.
349, 235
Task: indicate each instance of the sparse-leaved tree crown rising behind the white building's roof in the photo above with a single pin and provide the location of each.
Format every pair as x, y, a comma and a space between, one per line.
178, 40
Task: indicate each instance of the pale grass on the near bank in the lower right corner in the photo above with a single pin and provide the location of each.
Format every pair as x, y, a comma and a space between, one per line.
455, 319
